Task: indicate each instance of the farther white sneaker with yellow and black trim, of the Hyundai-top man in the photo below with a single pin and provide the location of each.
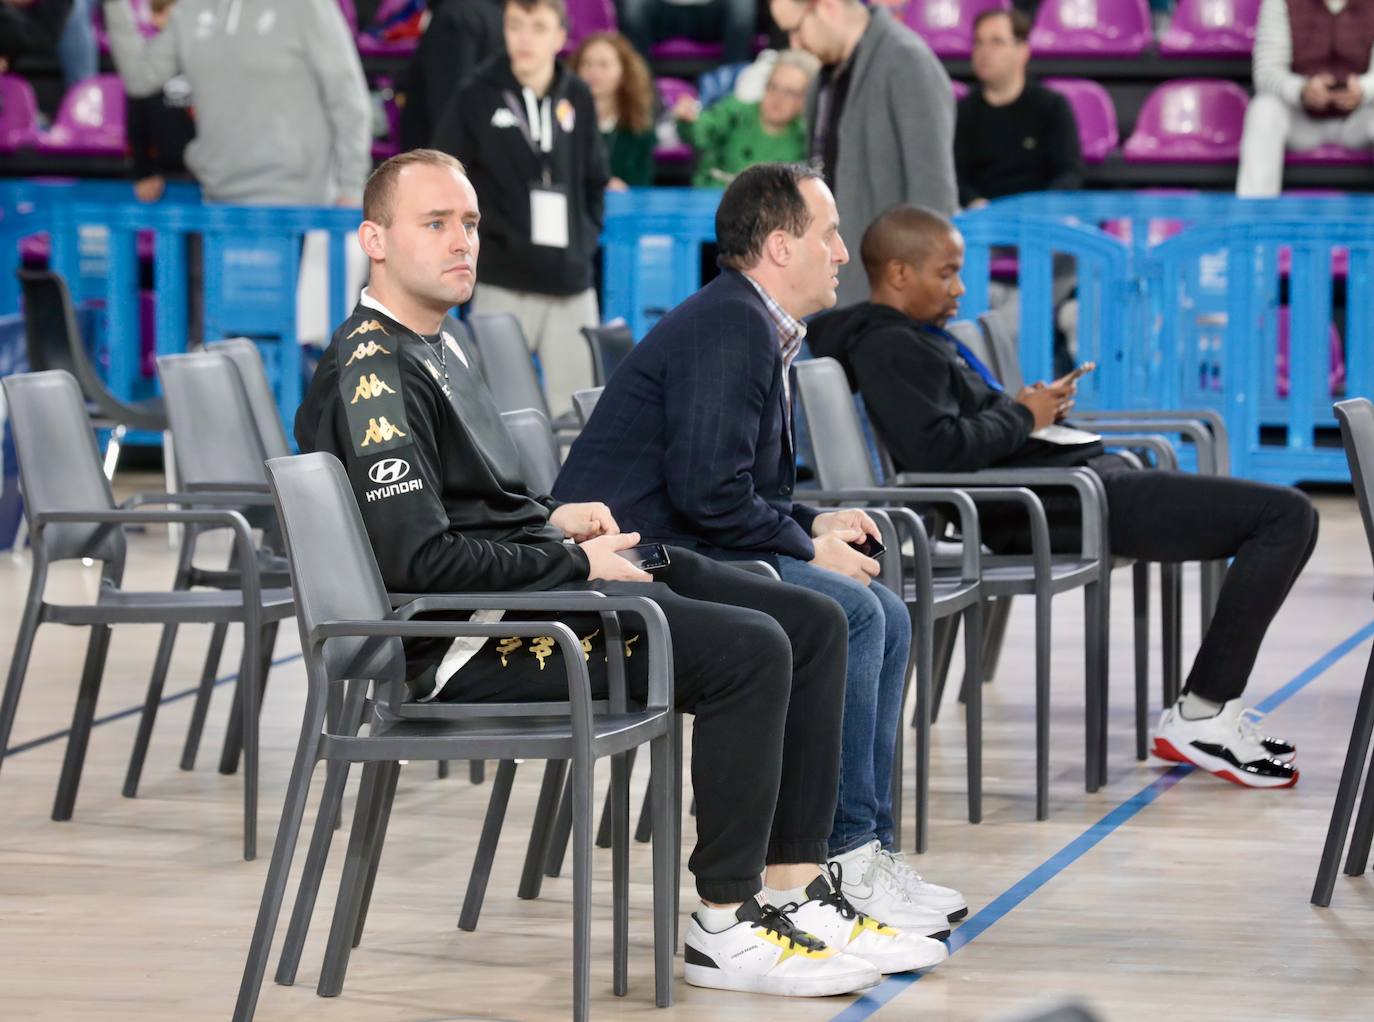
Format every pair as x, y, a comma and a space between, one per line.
829, 916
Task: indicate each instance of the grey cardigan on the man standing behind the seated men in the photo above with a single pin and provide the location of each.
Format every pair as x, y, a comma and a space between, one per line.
897, 138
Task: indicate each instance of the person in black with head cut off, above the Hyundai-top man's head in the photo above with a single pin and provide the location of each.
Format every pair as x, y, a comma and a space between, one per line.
461, 35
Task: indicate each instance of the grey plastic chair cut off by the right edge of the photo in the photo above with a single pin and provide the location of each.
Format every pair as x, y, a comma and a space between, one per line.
1357, 418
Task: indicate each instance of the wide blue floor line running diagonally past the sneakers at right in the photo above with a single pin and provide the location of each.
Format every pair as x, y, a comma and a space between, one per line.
1061, 861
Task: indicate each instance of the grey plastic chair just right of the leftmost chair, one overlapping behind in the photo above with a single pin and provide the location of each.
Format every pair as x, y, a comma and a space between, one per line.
218, 447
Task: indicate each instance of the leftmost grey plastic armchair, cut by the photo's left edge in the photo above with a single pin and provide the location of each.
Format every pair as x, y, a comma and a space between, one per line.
72, 514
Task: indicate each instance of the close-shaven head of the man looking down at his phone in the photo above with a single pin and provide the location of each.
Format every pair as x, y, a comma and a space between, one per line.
913, 258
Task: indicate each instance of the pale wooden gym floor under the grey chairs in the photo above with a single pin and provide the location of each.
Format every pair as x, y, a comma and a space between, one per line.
1167, 895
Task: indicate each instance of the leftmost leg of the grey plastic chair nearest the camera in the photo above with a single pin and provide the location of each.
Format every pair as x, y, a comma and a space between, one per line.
278, 874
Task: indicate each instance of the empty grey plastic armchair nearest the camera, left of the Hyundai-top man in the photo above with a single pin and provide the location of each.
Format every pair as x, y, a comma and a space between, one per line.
350, 634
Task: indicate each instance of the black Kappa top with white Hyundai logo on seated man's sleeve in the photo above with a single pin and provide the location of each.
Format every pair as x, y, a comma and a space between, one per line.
442, 494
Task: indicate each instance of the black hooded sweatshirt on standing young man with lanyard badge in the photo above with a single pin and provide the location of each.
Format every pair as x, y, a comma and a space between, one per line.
487, 128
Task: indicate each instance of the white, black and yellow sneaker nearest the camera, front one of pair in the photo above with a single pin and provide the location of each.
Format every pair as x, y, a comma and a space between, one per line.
765, 953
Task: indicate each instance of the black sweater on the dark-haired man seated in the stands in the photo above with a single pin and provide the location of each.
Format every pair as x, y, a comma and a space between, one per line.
1030, 145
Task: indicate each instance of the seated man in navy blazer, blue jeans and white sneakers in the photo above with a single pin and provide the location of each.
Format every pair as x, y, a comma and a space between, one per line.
692, 444
